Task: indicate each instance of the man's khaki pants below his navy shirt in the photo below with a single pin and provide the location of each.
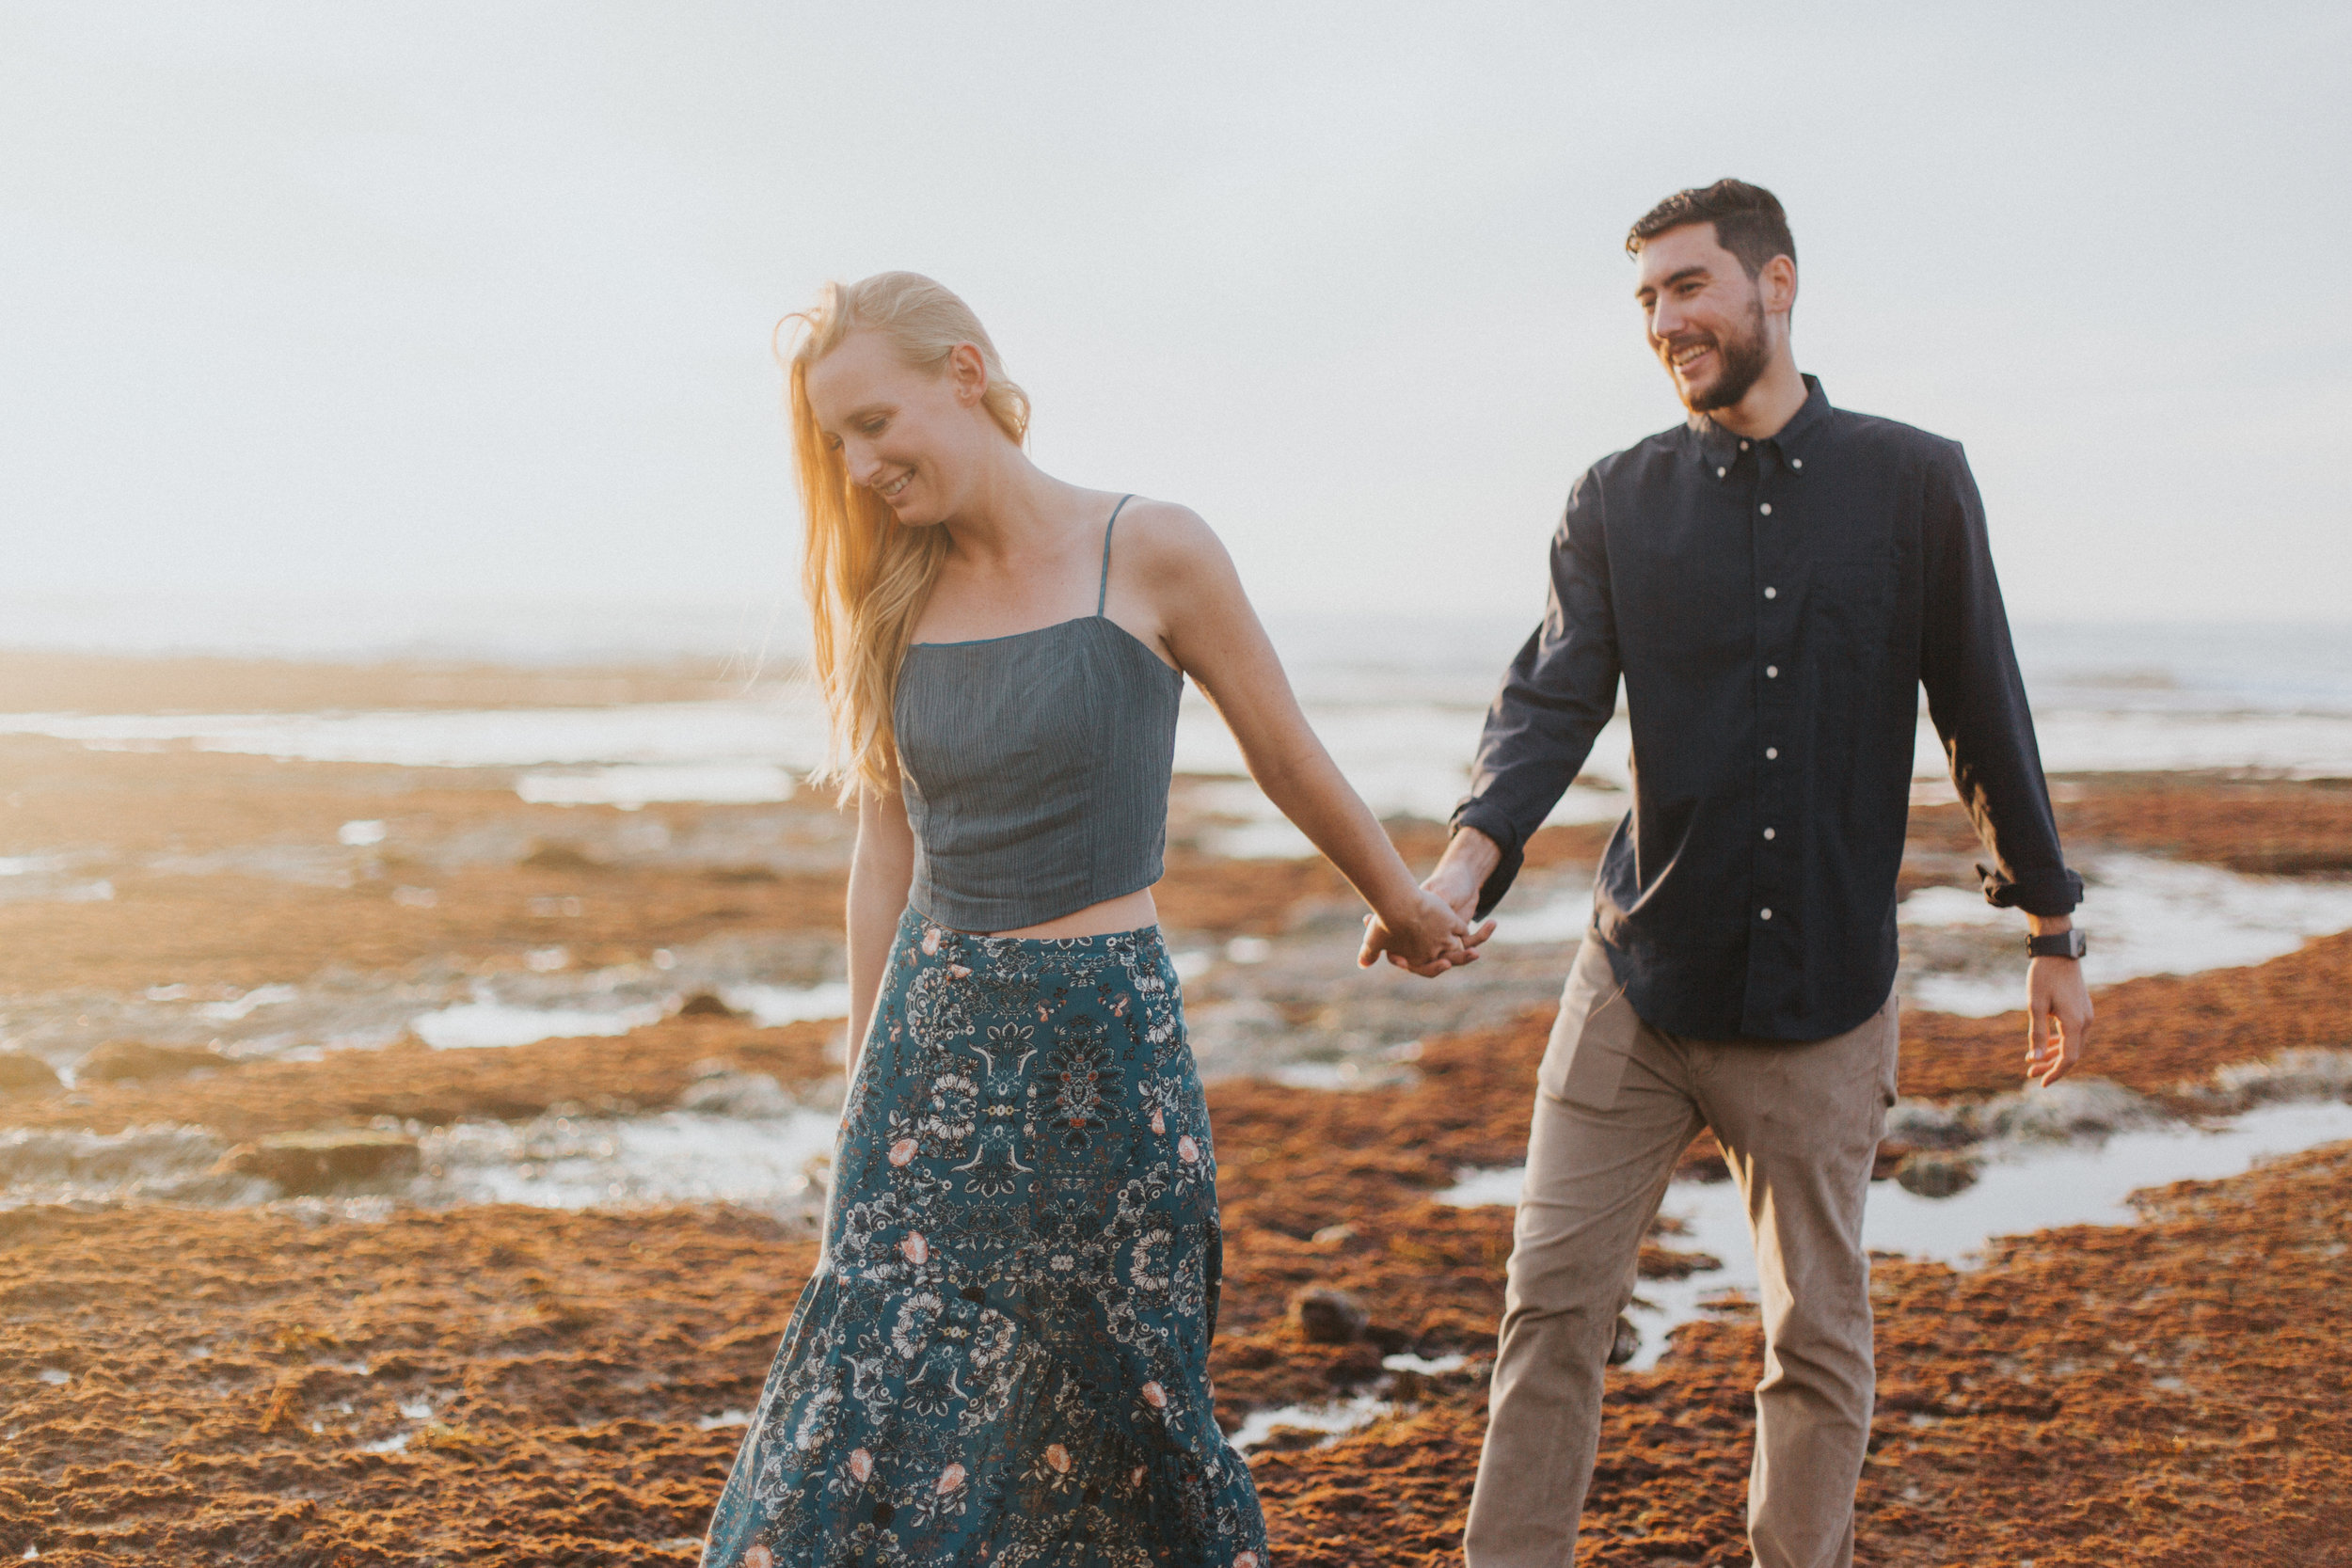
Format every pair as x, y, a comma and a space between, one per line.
1617, 1104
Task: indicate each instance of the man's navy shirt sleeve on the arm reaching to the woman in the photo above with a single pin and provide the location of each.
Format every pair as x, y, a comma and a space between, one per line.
1556, 697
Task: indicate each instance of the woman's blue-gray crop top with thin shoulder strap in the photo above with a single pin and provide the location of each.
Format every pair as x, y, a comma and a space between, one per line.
1036, 770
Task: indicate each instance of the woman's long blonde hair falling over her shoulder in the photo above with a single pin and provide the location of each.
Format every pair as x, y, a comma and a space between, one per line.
867, 577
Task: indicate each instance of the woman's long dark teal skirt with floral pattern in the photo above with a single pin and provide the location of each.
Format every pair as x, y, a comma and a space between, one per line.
1003, 1353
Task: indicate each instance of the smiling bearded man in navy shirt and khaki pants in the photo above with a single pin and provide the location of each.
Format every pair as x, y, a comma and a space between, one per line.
1775, 582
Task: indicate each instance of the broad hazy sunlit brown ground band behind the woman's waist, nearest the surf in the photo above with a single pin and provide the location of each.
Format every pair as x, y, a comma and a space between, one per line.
225, 871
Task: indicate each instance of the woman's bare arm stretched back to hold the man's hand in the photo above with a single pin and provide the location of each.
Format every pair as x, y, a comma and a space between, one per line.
1212, 634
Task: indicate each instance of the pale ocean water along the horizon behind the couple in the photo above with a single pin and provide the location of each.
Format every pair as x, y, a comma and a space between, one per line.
1398, 702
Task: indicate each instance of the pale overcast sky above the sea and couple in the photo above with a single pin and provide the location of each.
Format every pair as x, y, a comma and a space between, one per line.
476, 297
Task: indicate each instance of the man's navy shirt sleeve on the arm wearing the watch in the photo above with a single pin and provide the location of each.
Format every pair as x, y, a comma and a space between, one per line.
1977, 702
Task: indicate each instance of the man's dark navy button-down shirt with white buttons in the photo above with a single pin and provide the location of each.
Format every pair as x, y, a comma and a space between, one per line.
1772, 608
